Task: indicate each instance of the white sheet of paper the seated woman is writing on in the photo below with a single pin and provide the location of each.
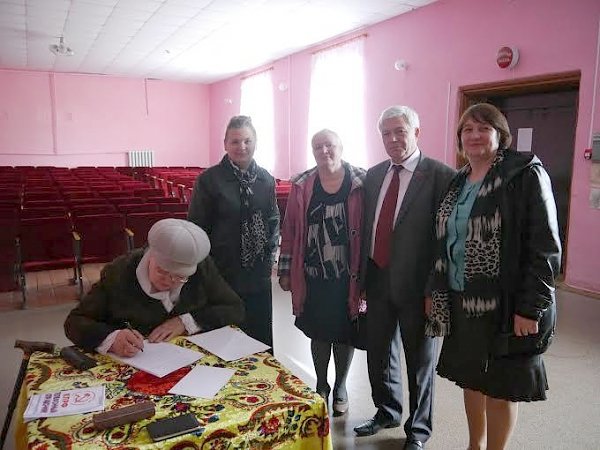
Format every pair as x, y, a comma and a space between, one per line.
160, 358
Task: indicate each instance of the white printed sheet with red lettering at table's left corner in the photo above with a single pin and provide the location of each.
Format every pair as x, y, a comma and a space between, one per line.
65, 403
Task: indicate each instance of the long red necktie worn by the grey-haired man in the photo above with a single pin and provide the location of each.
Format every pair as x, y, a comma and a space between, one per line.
385, 223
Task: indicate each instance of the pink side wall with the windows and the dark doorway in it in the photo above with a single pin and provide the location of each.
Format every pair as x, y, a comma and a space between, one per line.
449, 44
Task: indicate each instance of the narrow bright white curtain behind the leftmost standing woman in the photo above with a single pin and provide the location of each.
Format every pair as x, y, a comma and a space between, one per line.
257, 102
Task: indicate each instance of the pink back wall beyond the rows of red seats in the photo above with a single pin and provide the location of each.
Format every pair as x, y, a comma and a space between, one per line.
72, 120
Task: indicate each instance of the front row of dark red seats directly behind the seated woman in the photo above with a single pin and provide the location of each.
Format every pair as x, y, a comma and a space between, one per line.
65, 241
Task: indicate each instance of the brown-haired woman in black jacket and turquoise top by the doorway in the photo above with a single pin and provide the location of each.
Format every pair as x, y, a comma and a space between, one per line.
493, 277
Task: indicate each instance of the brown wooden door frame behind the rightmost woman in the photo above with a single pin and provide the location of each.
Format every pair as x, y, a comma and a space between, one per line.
475, 93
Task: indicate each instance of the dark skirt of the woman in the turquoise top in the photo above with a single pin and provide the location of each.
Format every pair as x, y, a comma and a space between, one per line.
467, 359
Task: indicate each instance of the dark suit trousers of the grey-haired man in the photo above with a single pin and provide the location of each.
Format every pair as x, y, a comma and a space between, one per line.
391, 327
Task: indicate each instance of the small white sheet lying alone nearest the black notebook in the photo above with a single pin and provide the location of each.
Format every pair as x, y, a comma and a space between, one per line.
203, 381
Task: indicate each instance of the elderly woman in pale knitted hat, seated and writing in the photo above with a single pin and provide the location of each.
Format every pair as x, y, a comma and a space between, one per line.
168, 289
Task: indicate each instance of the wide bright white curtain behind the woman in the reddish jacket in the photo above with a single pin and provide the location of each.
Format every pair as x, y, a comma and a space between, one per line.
337, 98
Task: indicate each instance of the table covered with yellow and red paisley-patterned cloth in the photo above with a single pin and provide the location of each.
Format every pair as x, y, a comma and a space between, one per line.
264, 406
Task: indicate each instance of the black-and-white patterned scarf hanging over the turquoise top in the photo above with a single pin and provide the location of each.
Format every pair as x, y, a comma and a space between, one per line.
482, 288
